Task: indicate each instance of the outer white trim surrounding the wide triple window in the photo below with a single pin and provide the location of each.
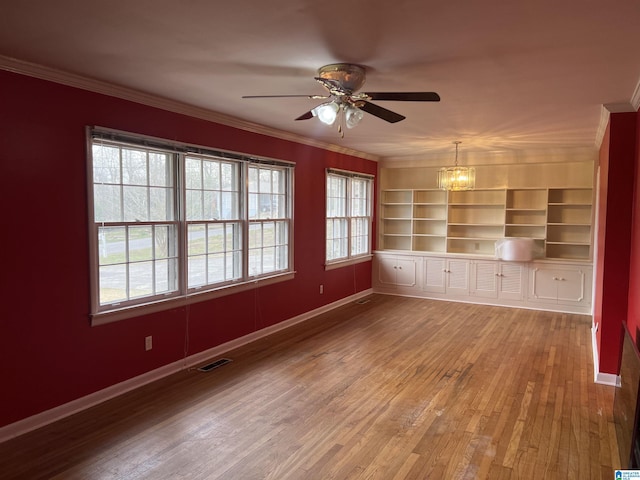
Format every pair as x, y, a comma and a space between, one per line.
188, 296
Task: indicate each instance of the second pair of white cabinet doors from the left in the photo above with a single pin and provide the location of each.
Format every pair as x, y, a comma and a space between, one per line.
446, 275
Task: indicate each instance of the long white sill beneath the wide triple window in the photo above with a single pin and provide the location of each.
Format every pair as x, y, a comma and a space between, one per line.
102, 318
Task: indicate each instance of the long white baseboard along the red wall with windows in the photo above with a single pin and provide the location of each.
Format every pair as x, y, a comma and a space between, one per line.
49, 416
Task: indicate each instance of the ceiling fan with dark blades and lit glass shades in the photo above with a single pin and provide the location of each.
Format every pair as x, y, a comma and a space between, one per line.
342, 81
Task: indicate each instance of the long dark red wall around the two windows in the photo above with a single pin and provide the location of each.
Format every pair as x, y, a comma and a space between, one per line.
49, 354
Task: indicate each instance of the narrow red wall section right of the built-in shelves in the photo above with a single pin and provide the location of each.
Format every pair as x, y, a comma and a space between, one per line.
617, 163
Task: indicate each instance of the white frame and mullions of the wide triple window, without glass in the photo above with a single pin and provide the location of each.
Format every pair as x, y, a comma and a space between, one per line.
182, 293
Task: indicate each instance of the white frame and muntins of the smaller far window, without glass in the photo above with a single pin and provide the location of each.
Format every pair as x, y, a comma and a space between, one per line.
350, 258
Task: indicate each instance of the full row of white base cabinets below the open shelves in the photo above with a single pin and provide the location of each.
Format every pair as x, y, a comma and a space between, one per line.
539, 285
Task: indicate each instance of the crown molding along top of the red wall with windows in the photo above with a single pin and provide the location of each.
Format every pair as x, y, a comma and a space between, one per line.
98, 86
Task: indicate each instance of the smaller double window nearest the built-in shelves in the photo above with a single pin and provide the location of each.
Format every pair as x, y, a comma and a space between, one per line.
348, 216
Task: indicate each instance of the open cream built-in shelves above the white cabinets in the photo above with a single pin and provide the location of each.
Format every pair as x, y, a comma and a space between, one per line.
430, 220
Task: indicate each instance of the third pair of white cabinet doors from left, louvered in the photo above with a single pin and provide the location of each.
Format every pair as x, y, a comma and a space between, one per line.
494, 279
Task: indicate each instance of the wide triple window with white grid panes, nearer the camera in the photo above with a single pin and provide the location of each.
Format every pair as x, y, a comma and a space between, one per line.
169, 220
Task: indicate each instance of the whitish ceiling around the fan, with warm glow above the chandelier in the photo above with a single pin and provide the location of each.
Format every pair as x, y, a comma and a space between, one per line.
513, 75
